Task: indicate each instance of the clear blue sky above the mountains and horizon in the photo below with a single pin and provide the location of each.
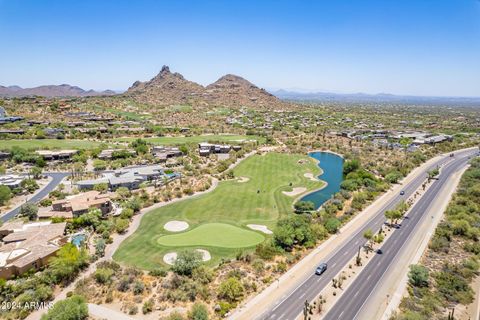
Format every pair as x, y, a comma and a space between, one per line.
420, 47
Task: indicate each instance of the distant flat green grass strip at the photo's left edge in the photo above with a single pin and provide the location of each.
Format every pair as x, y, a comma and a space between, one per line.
35, 144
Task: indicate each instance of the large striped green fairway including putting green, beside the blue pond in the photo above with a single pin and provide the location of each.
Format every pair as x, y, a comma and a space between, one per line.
257, 201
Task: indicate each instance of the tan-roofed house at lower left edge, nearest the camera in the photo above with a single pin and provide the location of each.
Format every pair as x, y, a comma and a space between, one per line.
28, 246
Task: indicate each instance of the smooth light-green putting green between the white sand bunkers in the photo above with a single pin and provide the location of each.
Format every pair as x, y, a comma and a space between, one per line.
213, 235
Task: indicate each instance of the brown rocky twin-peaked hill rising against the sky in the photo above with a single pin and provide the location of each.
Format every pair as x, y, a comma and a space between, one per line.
169, 88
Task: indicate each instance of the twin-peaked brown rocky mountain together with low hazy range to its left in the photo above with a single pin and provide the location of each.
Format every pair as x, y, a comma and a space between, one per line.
168, 88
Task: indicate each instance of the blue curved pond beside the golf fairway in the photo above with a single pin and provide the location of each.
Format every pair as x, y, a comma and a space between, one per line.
332, 167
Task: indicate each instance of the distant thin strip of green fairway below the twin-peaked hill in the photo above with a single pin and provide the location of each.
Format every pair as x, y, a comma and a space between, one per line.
196, 139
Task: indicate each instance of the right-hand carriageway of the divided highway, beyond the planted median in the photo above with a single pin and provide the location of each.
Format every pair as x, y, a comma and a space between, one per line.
357, 294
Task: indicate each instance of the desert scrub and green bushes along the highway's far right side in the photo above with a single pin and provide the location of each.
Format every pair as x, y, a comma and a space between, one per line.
434, 289
